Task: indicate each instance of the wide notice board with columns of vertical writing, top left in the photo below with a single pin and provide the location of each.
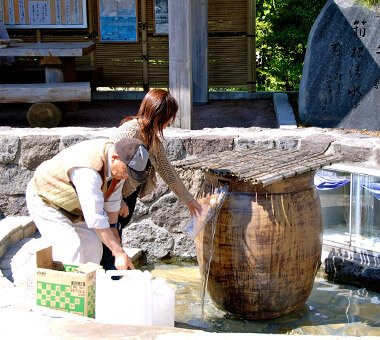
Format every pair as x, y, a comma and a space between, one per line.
43, 13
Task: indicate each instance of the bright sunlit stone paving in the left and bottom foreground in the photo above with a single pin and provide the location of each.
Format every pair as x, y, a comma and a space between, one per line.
21, 317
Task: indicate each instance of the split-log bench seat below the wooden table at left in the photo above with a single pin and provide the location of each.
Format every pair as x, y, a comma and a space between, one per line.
45, 92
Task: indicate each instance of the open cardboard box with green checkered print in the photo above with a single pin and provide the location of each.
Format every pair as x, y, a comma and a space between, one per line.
66, 287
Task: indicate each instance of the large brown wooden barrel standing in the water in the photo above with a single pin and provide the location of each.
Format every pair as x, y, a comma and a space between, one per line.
266, 248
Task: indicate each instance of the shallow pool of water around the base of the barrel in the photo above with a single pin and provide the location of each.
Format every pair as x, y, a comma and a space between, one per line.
331, 309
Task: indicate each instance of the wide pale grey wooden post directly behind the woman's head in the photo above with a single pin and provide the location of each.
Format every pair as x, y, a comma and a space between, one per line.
180, 74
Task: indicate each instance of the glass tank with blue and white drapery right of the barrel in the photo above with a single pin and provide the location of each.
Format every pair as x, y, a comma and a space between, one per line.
350, 208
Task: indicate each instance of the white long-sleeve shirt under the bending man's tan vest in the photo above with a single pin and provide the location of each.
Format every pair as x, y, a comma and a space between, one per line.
88, 184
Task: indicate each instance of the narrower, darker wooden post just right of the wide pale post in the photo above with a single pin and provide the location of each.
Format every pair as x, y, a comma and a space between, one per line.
200, 51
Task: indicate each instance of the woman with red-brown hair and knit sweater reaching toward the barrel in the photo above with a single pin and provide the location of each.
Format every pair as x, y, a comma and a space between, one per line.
157, 111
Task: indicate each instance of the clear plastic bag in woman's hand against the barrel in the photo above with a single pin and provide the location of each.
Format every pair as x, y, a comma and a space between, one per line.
210, 198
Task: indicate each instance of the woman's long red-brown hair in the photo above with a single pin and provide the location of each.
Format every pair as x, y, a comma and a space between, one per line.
157, 109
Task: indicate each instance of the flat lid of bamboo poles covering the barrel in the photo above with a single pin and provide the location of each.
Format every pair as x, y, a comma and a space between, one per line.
259, 165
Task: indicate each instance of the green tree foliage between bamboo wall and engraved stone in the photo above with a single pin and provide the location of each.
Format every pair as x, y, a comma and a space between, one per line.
282, 29
